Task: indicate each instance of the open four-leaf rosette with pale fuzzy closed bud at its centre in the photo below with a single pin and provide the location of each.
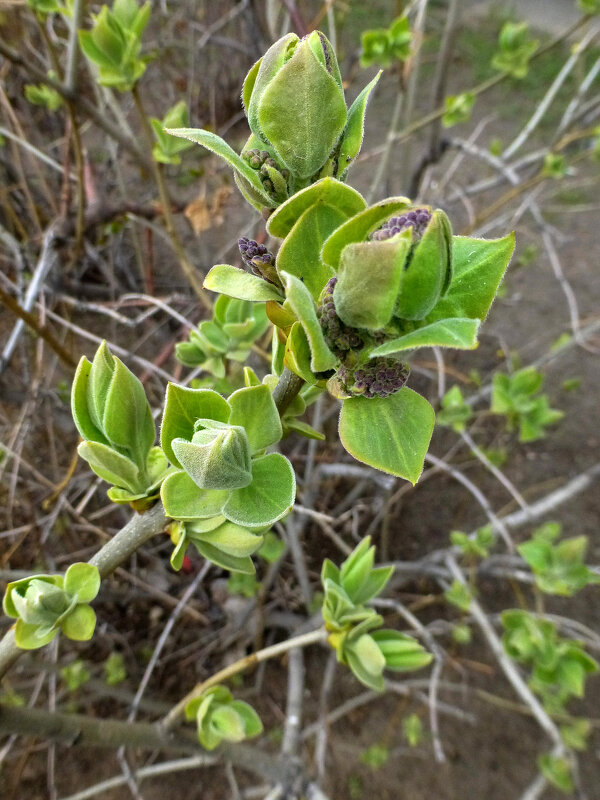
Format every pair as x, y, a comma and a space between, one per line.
218, 446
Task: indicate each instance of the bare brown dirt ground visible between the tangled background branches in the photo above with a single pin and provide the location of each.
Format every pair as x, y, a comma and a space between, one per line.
492, 753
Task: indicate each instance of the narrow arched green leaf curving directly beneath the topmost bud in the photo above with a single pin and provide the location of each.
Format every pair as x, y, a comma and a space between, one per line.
326, 191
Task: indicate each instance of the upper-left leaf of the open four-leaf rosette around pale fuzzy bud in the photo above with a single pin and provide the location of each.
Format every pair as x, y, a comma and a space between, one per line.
183, 406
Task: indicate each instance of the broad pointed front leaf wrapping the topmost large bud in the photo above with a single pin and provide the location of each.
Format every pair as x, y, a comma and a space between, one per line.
290, 112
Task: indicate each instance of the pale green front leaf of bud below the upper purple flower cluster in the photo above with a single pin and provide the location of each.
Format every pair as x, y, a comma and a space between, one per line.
369, 279
